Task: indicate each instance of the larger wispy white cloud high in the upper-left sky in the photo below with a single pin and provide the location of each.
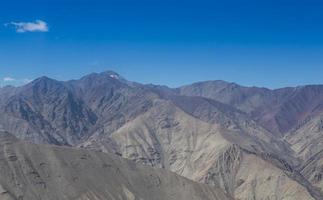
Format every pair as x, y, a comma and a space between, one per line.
36, 26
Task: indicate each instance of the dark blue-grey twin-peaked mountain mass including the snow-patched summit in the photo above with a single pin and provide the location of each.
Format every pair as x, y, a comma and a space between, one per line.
54, 112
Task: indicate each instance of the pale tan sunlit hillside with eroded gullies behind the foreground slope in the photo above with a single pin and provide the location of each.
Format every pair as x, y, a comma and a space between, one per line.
241, 164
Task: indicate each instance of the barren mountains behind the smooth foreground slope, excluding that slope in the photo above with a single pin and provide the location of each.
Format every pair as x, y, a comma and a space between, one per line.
253, 143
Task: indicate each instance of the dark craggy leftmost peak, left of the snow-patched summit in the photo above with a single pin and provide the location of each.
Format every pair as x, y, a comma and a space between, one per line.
46, 111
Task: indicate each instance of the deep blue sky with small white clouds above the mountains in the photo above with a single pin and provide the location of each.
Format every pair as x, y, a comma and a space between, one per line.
263, 43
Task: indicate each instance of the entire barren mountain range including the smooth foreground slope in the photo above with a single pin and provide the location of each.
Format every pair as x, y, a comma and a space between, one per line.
207, 140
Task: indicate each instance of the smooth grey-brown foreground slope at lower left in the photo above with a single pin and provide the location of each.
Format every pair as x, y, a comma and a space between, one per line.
30, 172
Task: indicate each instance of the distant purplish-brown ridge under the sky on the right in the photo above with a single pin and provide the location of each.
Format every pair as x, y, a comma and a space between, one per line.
278, 110
